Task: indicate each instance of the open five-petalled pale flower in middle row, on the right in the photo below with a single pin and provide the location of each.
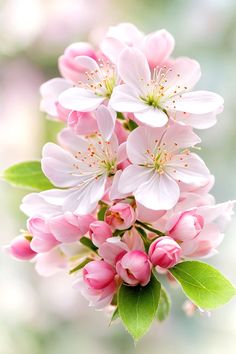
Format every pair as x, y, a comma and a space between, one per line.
158, 163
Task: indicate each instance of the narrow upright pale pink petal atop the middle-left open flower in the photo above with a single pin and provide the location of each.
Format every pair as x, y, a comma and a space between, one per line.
106, 119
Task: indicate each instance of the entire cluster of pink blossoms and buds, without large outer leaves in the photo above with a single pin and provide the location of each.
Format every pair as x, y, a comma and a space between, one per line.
131, 193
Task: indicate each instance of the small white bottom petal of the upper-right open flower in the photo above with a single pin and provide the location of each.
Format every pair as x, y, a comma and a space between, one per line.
152, 116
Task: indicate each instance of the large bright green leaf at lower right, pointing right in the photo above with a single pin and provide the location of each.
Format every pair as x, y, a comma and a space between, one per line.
203, 284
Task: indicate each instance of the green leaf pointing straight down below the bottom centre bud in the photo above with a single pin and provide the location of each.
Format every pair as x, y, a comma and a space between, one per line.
138, 306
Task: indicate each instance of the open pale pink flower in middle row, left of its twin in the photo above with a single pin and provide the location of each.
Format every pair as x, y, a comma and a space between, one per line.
84, 167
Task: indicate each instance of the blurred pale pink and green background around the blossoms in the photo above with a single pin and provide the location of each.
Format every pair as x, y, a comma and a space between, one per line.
45, 316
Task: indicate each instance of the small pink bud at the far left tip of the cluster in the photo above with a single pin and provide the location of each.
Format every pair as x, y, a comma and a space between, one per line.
20, 248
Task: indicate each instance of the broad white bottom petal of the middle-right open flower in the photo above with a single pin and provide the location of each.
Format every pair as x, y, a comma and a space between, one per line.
160, 192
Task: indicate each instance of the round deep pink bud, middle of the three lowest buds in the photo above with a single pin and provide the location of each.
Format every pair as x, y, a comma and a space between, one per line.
134, 268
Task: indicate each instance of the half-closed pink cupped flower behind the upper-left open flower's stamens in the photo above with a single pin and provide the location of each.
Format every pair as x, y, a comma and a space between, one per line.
68, 63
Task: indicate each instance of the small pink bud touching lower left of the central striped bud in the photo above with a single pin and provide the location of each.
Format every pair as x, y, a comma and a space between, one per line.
99, 231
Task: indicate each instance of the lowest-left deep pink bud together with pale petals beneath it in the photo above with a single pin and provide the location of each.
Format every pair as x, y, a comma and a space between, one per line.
98, 283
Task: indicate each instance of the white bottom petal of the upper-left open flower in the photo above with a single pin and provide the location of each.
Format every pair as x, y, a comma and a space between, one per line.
80, 99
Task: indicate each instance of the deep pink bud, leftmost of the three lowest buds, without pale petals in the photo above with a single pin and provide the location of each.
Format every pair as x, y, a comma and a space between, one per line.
98, 274
